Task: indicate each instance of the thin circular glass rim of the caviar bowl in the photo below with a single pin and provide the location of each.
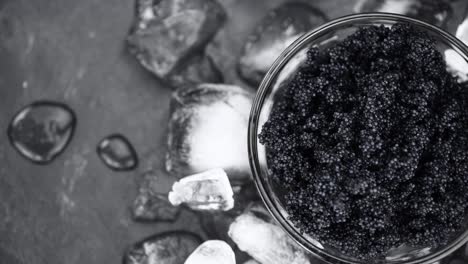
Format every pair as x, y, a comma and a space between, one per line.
258, 103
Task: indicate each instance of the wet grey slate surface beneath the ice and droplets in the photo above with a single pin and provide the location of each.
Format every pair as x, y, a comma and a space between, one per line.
76, 210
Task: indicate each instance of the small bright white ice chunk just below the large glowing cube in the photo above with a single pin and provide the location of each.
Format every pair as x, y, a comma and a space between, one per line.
209, 190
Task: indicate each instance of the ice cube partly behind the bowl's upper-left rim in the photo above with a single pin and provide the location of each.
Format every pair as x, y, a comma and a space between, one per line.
279, 29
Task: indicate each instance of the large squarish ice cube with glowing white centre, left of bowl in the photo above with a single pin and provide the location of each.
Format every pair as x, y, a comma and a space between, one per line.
208, 129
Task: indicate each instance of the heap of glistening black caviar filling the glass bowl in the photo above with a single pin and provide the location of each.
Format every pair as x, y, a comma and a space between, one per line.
370, 140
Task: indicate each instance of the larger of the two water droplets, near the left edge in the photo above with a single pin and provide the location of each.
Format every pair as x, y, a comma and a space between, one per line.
41, 131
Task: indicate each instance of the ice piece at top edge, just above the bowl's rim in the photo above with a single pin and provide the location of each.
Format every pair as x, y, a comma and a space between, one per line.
433, 12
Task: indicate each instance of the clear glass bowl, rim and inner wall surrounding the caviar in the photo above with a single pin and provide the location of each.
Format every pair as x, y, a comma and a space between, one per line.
280, 72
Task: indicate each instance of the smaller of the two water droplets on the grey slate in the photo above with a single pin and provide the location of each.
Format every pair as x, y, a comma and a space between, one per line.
117, 153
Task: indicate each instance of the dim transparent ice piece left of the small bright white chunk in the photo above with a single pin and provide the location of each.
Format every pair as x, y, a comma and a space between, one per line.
150, 205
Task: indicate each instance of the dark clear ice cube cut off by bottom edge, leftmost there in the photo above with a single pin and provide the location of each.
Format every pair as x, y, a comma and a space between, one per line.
166, 248
